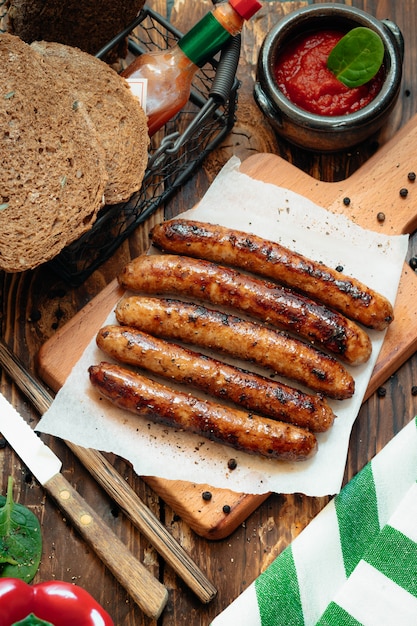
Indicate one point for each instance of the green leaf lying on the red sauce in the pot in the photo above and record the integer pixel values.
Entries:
(357, 57)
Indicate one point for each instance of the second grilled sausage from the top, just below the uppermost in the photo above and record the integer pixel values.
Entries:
(269, 302)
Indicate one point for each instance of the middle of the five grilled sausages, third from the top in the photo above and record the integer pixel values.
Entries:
(242, 339)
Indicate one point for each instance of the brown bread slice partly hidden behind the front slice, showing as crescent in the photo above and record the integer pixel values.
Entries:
(116, 113)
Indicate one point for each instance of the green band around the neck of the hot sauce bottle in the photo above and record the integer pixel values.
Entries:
(204, 40)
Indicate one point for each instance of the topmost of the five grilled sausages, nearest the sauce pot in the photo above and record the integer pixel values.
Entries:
(271, 260)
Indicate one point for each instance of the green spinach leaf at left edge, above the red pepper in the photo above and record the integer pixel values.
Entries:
(20, 539)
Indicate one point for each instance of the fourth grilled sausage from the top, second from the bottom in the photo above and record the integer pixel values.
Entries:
(245, 389)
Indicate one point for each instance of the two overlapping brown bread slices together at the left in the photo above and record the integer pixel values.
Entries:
(74, 138)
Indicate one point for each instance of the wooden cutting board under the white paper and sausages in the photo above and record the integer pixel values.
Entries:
(373, 189)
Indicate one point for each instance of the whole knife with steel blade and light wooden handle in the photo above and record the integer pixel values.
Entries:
(150, 595)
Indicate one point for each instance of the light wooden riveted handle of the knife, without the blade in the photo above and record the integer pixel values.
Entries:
(150, 595)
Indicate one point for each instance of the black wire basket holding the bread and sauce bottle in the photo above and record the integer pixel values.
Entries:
(175, 152)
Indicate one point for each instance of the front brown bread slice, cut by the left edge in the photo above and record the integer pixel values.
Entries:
(52, 165)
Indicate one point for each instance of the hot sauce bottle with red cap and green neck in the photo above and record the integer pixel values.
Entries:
(169, 72)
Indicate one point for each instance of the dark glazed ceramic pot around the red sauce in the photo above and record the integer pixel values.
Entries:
(323, 133)
